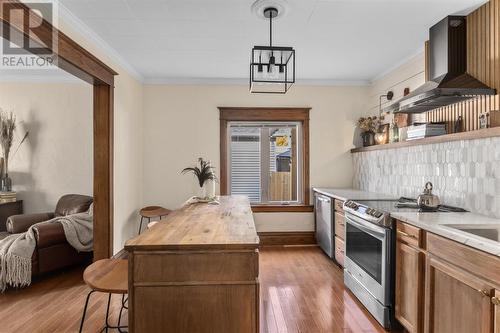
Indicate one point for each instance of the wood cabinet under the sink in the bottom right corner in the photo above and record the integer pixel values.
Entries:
(462, 288)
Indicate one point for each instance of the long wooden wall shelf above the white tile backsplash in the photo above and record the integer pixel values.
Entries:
(472, 135)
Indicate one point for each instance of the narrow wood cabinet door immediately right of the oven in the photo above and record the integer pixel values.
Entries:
(409, 287)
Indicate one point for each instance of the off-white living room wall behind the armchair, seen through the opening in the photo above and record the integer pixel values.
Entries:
(57, 157)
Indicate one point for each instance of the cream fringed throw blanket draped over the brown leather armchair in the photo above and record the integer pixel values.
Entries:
(16, 250)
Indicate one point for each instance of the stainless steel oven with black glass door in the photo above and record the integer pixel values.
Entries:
(369, 260)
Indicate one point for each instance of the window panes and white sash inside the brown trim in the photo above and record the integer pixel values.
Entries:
(263, 161)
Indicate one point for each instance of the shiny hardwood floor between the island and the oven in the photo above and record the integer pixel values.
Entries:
(303, 291)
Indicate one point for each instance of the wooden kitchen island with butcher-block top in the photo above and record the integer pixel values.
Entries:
(196, 271)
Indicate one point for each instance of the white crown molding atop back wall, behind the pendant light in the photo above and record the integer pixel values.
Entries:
(244, 82)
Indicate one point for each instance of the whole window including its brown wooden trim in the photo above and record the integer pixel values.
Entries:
(264, 155)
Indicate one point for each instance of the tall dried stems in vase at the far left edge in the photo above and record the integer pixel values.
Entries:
(7, 129)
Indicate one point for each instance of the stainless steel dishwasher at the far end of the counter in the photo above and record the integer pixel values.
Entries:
(323, 207)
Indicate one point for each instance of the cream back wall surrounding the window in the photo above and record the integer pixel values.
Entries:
(182, 123)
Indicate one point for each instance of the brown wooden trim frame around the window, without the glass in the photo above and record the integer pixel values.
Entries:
(228, 114)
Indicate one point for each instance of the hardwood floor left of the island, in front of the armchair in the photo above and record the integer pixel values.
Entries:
(55, 304)
